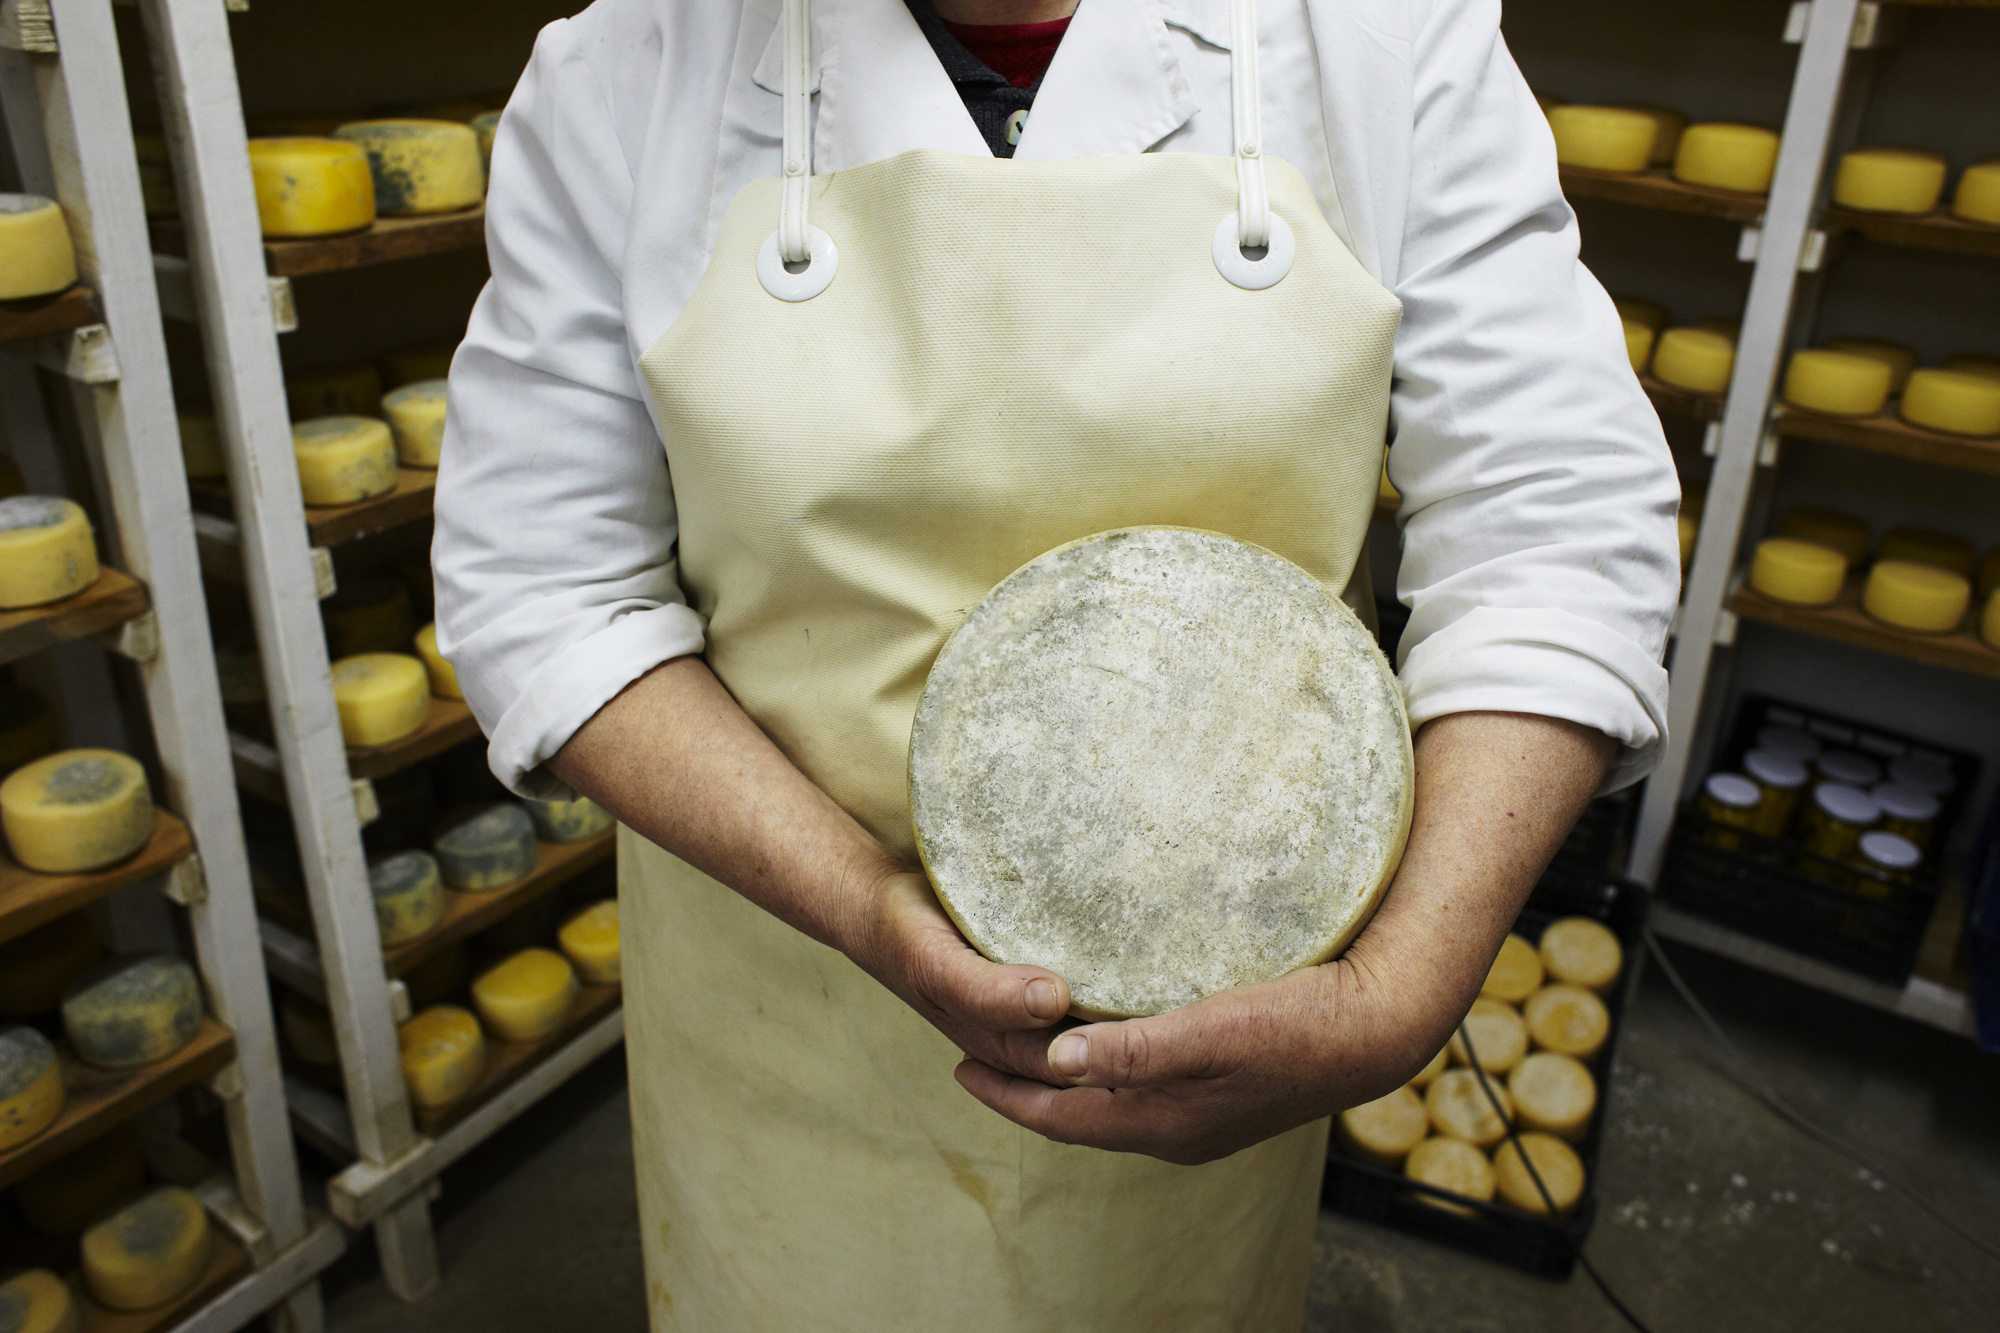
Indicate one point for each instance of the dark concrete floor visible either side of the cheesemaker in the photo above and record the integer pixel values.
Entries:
(1713, 1214)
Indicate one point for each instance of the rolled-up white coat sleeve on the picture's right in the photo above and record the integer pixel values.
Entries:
(1541, 559)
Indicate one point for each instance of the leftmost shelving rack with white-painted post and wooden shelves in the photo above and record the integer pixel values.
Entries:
(103, 345)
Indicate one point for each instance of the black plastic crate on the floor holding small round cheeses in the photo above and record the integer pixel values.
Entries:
(1497, 1232)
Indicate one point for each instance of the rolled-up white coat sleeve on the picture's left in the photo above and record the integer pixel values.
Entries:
(555, 541)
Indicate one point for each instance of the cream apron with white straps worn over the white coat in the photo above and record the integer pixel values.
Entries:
(981, 361)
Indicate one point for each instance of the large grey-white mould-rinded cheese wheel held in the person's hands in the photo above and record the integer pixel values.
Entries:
(1161, 764)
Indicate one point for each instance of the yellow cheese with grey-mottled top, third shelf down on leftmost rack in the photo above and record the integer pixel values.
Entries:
(77, 812)
